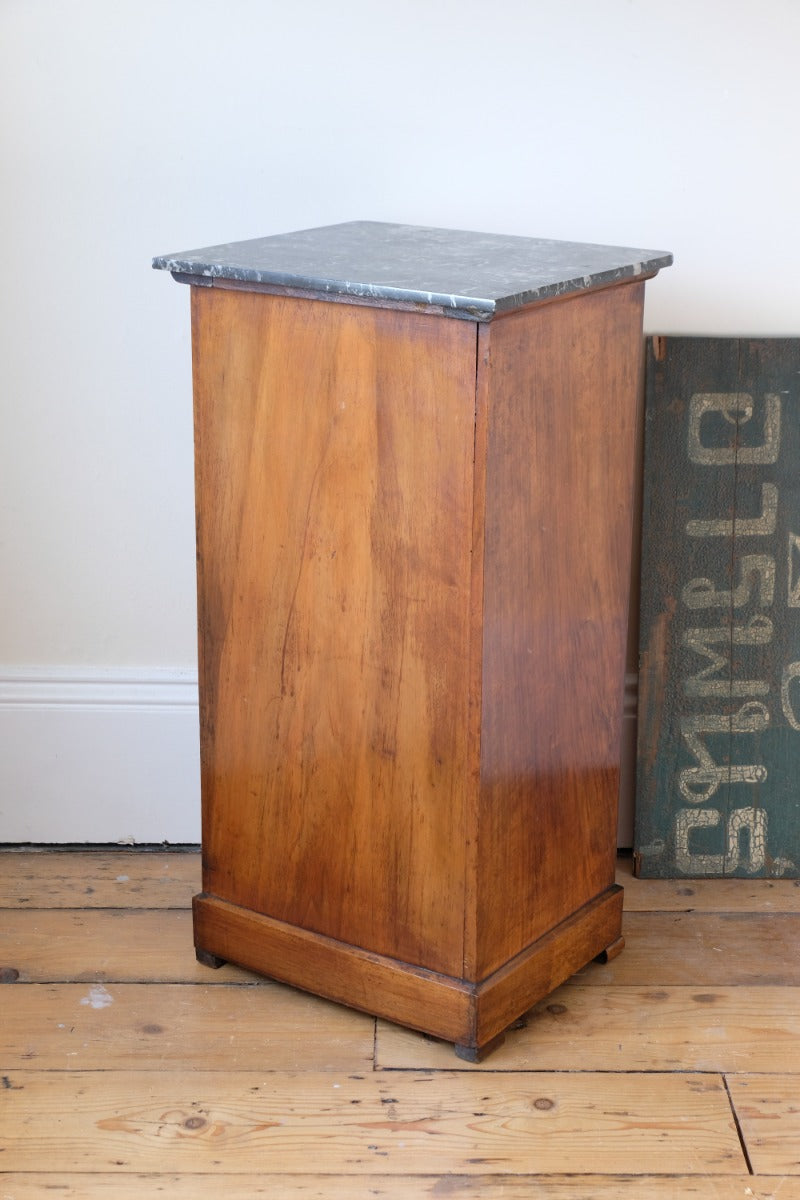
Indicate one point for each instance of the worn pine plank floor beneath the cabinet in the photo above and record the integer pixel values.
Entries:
(129, 1071)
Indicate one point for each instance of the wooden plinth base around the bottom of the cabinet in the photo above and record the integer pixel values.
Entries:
(473, 1016)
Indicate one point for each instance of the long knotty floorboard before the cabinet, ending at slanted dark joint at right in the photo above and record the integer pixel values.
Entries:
(520, 1124)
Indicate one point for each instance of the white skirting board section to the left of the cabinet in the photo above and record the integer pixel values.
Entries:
(99, 755)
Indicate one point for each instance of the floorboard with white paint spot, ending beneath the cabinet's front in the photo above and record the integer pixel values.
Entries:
(173, 1027)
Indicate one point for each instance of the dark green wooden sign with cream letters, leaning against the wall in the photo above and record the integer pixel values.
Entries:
(719, 743)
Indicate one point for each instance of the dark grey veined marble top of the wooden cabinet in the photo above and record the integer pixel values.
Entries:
(468, 275)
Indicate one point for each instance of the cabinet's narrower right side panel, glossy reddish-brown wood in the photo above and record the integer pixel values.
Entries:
(564, 400)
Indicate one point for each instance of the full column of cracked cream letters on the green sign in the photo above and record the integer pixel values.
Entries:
(737, 619)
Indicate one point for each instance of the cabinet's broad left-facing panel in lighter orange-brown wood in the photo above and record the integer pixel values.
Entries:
(334, 477)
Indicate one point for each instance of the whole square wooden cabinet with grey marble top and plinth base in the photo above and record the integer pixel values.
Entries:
(416, 458)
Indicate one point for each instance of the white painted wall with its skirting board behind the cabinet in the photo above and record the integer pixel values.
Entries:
(147, 127)
